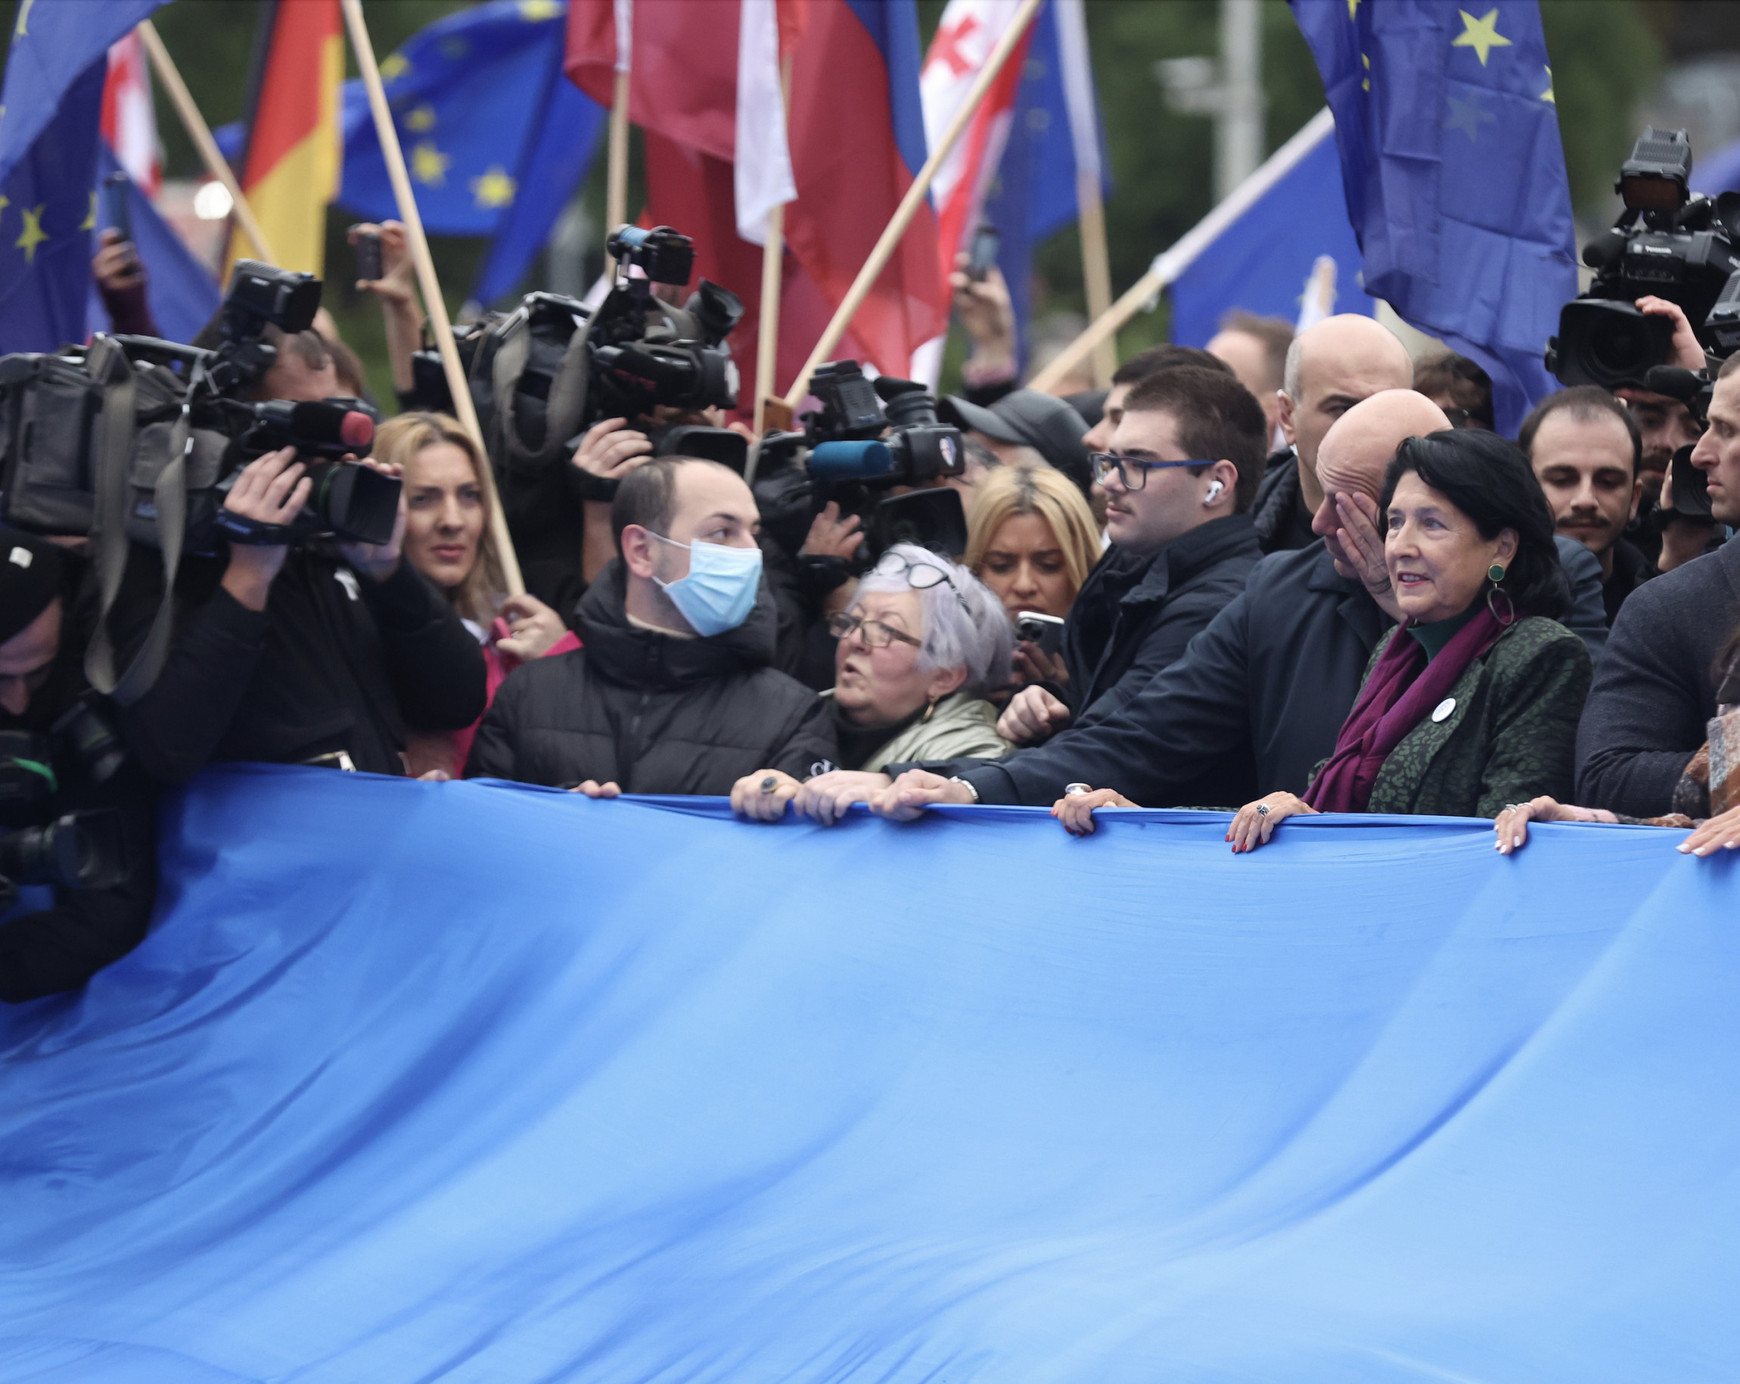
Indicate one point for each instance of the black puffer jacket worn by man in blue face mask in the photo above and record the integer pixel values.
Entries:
(652, 713)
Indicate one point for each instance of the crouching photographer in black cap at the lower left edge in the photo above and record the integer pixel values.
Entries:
(77, 819)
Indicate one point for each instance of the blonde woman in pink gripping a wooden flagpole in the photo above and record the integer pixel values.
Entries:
(448, 539)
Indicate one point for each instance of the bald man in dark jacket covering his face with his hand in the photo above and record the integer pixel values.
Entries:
(1261, 695)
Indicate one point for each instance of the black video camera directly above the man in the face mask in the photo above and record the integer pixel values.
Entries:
(551, 370)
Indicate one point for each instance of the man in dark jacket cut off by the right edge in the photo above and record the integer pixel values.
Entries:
(1657, 685)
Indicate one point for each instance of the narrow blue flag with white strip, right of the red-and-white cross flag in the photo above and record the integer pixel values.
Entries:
(1034, 194)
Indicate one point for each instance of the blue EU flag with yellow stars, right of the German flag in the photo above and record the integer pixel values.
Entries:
(495, 135)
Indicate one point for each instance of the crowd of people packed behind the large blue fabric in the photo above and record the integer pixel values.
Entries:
(1288, 574)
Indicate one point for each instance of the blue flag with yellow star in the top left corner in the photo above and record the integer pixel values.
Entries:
(50, 116)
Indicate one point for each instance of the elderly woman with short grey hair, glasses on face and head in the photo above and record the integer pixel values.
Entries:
(918, 650)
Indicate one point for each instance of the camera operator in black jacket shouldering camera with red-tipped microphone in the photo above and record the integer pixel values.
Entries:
(295, 655)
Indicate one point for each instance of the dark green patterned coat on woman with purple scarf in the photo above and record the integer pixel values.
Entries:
(1511, 732)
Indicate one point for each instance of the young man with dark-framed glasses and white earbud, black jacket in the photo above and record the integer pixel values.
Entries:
(1182, 546)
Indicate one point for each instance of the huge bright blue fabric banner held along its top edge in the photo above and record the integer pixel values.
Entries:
(479, 1084)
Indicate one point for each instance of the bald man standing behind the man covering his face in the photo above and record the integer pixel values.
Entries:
(1330, 368)
